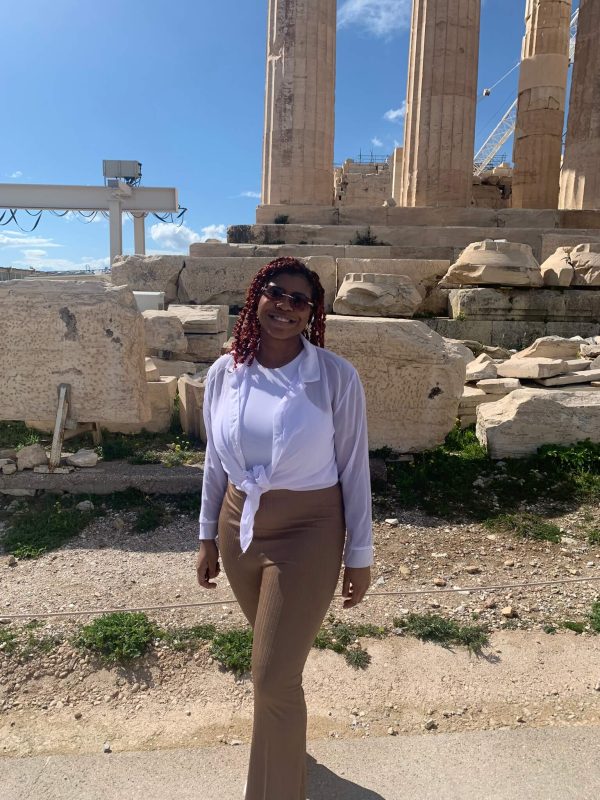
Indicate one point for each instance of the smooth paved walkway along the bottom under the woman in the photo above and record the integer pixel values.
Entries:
(523, 764)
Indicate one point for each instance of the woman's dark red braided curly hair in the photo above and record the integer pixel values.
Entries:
(246, 333)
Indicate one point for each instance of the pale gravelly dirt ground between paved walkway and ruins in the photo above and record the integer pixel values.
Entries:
(66, 702)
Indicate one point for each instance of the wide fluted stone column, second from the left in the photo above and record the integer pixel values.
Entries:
(439, 134)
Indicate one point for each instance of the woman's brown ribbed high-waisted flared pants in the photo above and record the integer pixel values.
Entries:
(284, 584)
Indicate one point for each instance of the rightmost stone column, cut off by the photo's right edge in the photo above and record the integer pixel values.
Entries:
(580, 178)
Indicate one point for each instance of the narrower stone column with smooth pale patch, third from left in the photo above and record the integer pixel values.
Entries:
(541, 107)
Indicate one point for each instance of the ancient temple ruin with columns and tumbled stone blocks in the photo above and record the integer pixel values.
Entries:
(460, 291)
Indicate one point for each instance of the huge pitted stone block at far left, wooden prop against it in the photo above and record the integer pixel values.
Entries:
(86, 334)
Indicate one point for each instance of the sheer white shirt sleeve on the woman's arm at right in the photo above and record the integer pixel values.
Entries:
(352, 456)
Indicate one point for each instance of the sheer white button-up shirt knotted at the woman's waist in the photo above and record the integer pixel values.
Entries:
(319, 438)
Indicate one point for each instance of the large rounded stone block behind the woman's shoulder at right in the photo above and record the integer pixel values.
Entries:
(413, 380)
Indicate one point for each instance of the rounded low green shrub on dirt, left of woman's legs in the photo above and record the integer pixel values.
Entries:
(120, 636)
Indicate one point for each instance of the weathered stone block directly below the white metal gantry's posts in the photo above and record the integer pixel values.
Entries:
(149, 273)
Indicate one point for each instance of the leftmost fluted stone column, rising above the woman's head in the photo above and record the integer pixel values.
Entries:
(299, 103)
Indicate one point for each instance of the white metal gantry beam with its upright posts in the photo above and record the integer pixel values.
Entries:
(114, 199)
